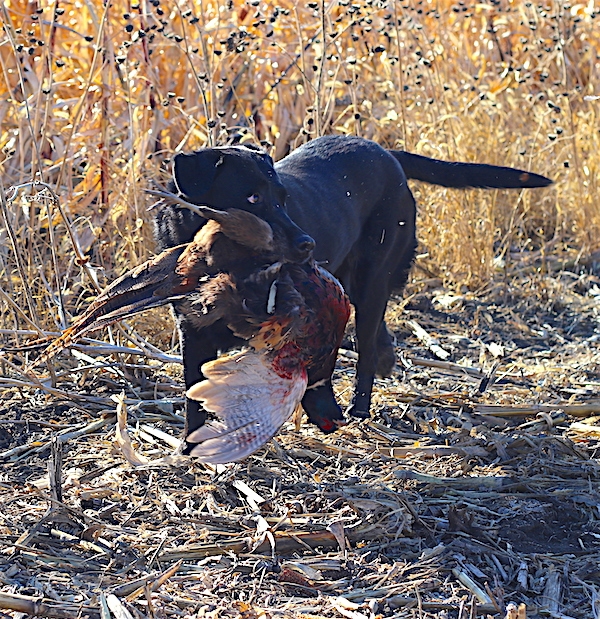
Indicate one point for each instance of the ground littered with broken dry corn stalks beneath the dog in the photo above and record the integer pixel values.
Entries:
(473, 486)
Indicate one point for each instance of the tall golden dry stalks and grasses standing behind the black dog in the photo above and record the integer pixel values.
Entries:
(95, 98)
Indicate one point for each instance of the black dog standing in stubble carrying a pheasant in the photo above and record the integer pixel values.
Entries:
(352, 197)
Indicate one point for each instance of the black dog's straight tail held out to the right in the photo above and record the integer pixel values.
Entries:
(460, 175)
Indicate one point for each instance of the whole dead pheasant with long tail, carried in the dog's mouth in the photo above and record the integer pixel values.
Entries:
(292, 316)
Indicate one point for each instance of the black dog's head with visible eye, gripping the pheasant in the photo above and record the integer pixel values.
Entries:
(241, 177)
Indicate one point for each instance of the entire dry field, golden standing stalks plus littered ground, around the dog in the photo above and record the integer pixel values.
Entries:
(473, 490)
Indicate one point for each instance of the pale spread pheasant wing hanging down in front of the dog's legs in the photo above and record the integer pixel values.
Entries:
(252, 397)
